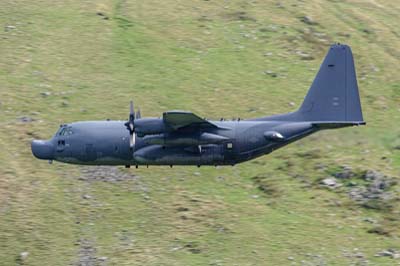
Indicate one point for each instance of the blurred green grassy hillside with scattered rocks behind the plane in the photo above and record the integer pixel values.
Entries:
(64, 61)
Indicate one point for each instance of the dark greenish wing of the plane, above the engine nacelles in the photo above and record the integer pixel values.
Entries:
(181, 119)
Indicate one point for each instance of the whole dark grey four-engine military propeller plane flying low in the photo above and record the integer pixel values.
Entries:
(183, 138)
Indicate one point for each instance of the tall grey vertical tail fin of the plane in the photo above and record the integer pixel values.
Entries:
(333, 96)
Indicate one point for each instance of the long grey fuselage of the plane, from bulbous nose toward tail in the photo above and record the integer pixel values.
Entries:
(107, 143)
